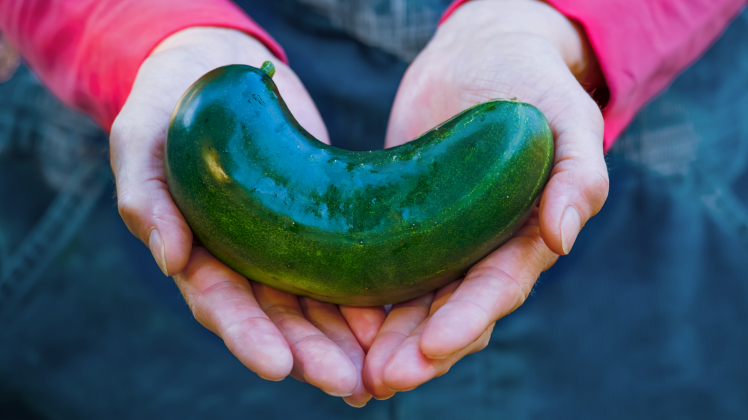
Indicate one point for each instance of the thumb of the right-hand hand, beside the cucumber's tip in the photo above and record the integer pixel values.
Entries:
(579, 182)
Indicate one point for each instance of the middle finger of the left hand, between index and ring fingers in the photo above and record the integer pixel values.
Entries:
(317, 359)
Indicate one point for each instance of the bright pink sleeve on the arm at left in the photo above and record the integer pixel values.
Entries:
(88, 52)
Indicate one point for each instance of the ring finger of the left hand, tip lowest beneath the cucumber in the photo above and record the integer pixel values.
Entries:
(328, 319)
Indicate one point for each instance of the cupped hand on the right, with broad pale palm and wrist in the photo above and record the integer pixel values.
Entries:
(519, 49)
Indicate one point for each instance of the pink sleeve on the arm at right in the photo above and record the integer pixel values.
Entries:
(642, 45)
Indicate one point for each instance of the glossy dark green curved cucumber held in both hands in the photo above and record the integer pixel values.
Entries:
(355, 228)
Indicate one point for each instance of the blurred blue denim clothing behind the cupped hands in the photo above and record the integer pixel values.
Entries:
(645, 319)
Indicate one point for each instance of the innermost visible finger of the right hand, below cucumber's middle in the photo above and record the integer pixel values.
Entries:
(400, 322)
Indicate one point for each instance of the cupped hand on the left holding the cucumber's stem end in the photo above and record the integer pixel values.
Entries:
(272, 333)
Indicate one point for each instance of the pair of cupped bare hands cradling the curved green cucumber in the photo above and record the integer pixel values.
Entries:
(276, 334)
